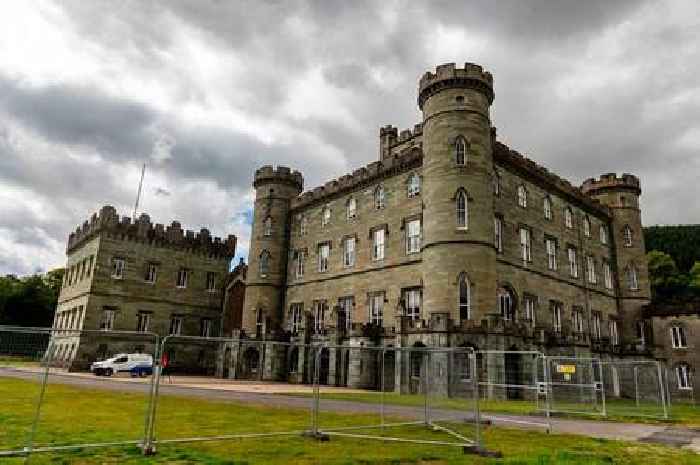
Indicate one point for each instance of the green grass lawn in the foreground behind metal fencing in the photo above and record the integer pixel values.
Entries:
(76, 415)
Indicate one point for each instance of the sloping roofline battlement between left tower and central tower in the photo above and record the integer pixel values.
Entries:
(388, 166)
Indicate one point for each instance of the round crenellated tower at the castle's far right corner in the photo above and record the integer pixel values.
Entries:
(621, 195)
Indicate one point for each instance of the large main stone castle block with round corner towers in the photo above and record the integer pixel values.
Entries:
(450, 238)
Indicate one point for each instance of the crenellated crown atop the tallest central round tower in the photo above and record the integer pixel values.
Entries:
(448, 76)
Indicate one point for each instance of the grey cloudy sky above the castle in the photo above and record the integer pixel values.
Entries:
(206, 91)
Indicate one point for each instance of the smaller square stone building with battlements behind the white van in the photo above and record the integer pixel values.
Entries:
(139, 278)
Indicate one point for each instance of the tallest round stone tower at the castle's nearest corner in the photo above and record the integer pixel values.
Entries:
(458, 166)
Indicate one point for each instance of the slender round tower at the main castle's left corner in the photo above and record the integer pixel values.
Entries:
(269, 248)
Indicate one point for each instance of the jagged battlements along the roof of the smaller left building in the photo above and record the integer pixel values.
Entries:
(157, 235)
